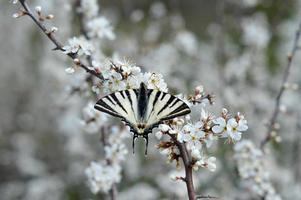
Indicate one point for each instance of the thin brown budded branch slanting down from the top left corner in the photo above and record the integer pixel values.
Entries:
(51, 36)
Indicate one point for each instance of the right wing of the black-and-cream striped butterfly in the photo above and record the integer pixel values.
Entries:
(163, 106)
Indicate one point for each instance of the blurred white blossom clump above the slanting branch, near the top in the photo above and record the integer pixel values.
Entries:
(100, 27)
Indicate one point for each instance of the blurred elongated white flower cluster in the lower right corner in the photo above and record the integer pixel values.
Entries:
(250, 162)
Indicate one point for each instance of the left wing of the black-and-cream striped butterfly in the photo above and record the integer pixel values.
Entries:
(122, 104)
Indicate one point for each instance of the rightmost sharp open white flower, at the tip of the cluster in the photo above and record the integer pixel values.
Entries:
(234, 129)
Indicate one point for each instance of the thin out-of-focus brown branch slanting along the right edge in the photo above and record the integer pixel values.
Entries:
(271, 125)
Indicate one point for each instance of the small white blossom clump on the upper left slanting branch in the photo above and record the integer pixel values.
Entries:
(78, 45)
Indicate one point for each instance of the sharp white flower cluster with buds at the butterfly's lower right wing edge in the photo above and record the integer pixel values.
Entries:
(200, 135)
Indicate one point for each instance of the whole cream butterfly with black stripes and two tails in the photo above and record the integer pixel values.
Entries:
(142, 109)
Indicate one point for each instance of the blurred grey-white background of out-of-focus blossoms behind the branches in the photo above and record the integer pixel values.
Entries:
(236, 49)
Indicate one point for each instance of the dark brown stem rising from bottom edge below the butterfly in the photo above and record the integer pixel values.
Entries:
(188, 168)
